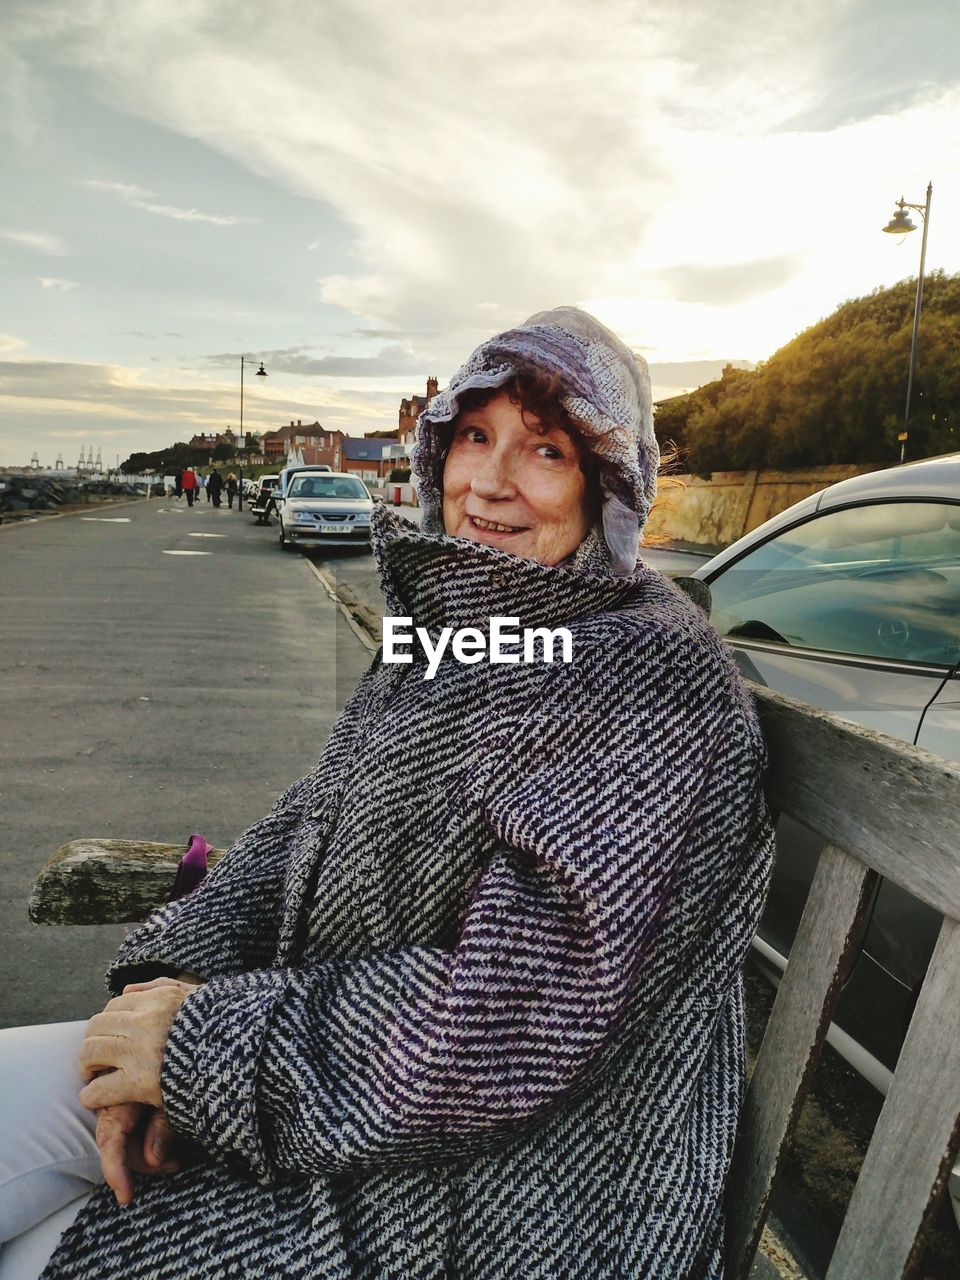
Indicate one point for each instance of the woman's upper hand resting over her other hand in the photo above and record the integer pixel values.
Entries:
(124, 1050)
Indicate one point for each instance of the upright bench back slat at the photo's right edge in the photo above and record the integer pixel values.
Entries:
(908, 1163)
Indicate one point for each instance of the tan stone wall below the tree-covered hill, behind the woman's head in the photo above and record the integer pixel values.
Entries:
(714, 514)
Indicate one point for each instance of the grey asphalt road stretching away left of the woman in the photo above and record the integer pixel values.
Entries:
(163, 671)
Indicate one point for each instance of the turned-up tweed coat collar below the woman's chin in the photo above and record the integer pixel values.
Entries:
(445, 582)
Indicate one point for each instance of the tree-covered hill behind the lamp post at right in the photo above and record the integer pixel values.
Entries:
(835, 394)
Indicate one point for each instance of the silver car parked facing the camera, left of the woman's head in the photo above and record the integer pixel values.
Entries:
(324, 510)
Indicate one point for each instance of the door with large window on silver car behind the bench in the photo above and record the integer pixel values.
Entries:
(856, 610)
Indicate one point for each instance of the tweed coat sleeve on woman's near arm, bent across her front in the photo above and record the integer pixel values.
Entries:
(424, 1054)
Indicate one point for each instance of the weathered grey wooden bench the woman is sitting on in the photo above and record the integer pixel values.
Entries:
(886, 810)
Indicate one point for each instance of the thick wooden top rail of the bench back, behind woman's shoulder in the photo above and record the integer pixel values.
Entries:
(892, 804)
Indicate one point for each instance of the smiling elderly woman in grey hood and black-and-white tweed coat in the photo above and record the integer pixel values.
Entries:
(468, 1003)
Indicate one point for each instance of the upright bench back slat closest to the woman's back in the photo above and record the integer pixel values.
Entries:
(821, 956)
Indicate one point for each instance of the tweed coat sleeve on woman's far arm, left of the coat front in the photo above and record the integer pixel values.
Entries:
(231, 922)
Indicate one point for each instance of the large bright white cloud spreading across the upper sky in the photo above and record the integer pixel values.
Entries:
(547, 158)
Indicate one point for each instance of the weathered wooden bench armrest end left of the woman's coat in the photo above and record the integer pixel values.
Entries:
(106, 881)
